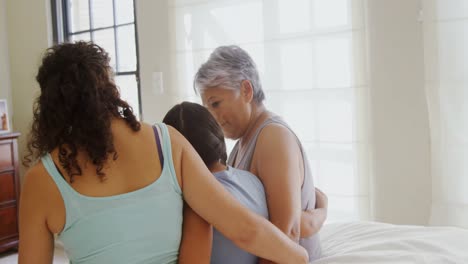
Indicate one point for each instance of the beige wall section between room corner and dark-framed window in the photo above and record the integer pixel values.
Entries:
(28, 36)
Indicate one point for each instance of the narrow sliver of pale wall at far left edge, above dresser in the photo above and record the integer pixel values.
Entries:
(5, 89)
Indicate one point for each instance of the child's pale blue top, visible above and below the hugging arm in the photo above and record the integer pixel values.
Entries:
(249, 191)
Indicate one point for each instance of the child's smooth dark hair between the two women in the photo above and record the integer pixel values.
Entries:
(199, 127)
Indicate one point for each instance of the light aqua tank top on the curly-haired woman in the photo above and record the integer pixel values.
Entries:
(142, 226)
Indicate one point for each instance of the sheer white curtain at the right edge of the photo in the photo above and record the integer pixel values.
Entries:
(446, 59)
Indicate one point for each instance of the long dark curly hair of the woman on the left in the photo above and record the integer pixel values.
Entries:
(74, 110)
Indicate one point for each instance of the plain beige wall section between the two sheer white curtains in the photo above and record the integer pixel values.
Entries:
(401, 190)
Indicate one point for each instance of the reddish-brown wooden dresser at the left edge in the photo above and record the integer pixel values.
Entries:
(9, 191)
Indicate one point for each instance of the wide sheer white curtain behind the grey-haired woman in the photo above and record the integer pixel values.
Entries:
(311, 57)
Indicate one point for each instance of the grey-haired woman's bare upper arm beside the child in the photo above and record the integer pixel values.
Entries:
(278, 163)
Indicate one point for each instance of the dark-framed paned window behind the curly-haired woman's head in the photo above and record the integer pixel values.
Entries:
(111, 25)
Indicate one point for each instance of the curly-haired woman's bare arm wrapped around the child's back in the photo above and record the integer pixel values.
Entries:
(207, 197)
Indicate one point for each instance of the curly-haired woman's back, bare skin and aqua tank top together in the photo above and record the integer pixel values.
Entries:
(134, 217)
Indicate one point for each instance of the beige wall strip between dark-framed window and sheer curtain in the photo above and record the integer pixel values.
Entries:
(153, 21)
